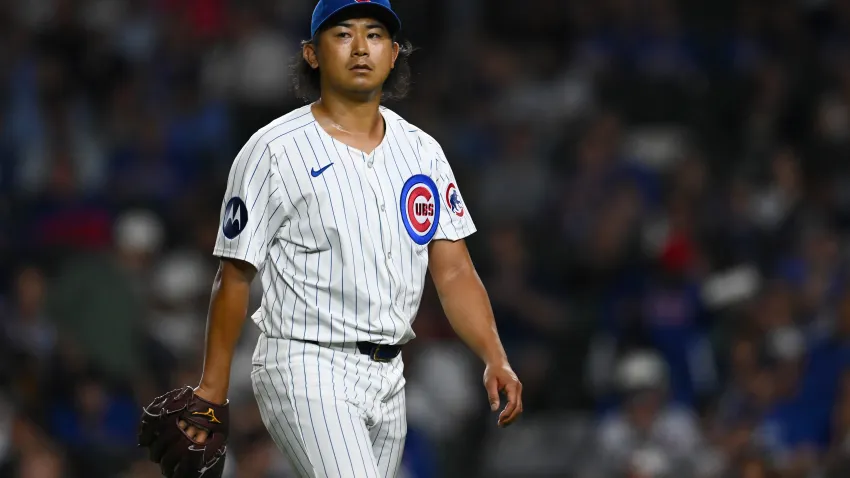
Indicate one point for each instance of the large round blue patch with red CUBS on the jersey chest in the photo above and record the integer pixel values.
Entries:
(419, 204)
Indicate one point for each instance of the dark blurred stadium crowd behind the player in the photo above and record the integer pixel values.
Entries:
(662, 191)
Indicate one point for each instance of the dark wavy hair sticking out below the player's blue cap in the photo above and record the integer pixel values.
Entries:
(306, 81)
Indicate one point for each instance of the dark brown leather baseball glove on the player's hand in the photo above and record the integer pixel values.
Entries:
(177, 455)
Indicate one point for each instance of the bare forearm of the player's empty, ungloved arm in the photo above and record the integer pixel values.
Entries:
(467, 306)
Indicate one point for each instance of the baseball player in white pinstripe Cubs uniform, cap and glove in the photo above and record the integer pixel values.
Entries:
(341, 206)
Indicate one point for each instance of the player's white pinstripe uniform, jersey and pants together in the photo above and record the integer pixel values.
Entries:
(323, 223)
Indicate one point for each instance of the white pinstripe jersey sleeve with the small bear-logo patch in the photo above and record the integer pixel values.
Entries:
(455, 220)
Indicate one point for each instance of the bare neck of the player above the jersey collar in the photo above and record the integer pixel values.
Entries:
(354, 118)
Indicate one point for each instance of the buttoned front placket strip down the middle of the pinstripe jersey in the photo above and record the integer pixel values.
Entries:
(385, 205)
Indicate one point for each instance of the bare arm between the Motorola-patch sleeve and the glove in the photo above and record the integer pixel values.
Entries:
(228, 309)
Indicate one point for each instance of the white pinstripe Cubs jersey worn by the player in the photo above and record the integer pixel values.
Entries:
(340, 237)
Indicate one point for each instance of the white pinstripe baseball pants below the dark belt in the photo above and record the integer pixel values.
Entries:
(332, 411)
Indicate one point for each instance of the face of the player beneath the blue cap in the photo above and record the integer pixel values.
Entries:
(355, 56)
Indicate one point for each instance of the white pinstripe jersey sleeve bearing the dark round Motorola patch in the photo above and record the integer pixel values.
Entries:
(252, 211)
